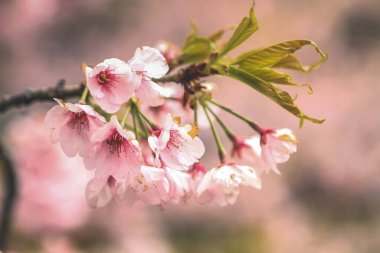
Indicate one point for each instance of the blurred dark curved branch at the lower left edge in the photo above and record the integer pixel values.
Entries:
(10, 195)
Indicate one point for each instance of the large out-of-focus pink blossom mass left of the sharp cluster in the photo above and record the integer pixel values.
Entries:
(51, 185)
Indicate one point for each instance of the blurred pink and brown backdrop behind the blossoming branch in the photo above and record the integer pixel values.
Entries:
(328, 198)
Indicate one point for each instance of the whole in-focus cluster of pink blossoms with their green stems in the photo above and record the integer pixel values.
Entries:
(137, 159)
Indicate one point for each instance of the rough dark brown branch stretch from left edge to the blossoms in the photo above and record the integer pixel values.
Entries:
(47, 94)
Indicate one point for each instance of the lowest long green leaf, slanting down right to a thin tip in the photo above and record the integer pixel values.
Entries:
(271, 91)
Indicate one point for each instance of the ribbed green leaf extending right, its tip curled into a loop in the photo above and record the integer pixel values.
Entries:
(279, 56)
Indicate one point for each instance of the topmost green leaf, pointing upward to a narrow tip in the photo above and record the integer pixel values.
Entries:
(245, 29)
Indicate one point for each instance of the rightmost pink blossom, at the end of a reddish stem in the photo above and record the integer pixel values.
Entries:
(277, 146)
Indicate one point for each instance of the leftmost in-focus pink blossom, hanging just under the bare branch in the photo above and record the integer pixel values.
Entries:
(72, 126)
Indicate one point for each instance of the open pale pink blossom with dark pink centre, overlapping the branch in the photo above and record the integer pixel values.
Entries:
(111, 83)
